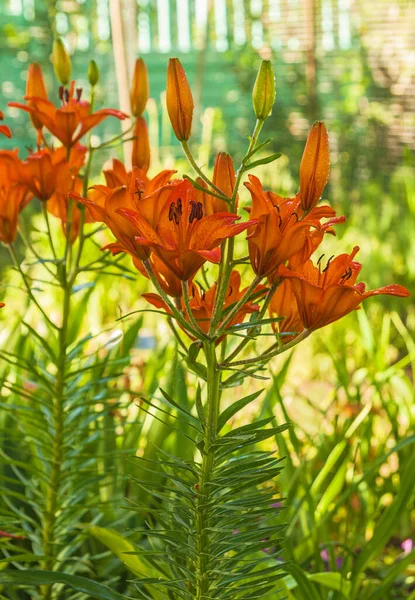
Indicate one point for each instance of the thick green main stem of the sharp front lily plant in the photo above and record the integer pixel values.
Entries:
(204, 485)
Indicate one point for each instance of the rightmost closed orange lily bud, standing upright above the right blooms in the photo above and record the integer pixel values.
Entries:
(315, 166)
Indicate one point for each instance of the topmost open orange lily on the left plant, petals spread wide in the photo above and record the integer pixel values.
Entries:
(70, 122)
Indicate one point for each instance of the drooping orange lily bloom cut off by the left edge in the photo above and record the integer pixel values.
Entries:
(13, 195)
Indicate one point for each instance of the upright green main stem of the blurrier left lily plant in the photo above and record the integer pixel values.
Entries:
(52, 494)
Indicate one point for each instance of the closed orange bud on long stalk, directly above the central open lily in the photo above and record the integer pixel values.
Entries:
(179, 100)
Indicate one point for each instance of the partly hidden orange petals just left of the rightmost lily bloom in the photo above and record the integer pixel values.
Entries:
(284, 304)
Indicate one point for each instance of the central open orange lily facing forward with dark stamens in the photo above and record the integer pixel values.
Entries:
(184, 238)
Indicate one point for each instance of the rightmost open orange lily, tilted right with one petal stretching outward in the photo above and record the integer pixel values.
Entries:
(326, 295)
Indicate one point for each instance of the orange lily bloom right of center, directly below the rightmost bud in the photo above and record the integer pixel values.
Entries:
(282, 227)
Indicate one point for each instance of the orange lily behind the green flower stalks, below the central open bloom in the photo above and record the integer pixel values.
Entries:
(202, 303)
